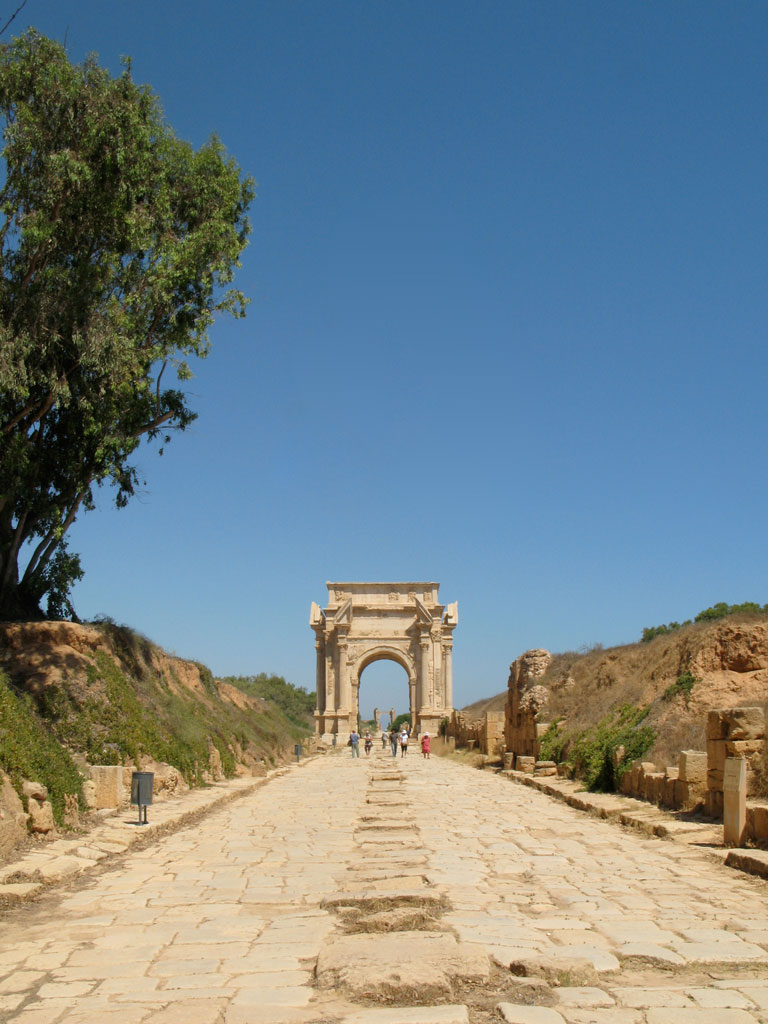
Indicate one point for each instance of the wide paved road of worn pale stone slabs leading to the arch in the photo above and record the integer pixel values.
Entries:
(377, 891)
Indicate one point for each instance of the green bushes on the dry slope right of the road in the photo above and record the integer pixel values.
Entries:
(592, 751)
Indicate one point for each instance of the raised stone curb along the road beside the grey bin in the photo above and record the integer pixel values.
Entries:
(64, 860)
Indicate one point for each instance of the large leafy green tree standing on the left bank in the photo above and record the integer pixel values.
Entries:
(118, 242)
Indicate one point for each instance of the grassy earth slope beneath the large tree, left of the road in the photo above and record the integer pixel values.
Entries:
(74, 696)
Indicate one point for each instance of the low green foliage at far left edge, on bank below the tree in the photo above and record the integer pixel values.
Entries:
(28, 750)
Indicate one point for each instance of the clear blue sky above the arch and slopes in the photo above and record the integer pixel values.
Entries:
(507, 330)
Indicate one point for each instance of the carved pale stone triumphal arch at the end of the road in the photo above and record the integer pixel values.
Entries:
(373, 622)
